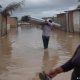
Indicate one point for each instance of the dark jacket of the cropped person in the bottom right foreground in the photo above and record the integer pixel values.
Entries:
(73, 63)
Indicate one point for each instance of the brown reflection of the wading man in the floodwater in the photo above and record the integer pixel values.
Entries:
(49, 63)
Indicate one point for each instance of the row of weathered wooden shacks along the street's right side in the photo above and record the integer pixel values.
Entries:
(70, 20)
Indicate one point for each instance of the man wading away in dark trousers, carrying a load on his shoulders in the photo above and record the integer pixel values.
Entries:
(46, 28)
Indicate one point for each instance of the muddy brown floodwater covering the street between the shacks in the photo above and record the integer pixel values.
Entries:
(22, 56)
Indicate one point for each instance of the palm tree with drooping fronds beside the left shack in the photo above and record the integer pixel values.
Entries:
(6, 12)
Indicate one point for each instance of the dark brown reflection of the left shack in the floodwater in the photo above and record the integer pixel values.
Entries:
(5, 54)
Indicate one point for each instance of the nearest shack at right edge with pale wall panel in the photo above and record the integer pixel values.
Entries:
(74, 20)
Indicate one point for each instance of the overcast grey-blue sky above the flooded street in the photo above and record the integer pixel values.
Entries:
(41, 8)
